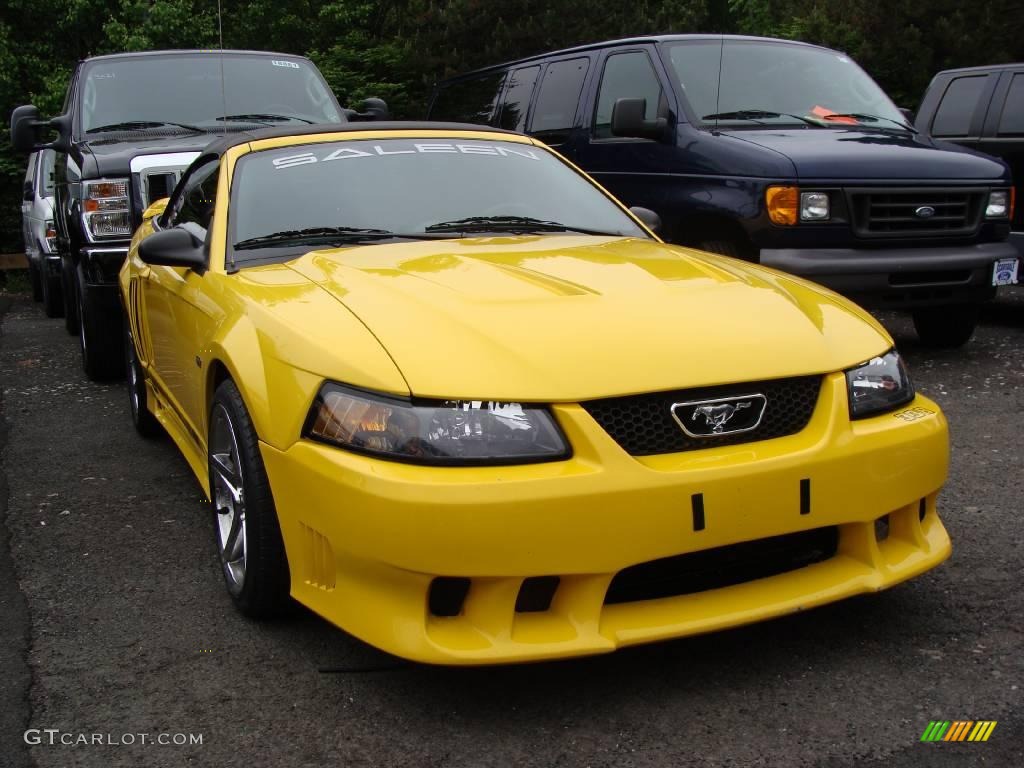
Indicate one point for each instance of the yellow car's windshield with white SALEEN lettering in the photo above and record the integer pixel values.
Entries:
(347, 193)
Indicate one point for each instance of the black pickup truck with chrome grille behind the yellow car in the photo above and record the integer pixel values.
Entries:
(132, 124)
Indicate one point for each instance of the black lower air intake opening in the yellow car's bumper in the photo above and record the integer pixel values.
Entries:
(722, 567)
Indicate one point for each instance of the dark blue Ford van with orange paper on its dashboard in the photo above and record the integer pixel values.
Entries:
(771, 151)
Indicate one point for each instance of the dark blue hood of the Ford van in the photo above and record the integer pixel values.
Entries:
(860, 154)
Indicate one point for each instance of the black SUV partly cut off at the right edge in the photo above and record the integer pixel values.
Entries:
(982, 108)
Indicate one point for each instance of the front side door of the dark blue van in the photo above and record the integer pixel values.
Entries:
(635, 170)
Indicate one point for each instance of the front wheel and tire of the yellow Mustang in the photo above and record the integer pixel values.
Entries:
(261, 587)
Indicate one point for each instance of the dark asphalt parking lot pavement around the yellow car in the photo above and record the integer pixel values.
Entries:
(133, 633)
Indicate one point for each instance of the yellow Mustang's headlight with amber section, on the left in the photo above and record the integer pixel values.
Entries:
(435, 432)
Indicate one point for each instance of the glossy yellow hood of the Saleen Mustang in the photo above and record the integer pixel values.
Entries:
(569, 319)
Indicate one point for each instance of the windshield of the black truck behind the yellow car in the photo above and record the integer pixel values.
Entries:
(184, 93)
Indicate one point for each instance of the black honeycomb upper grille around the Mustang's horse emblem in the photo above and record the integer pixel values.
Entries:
(643, 424)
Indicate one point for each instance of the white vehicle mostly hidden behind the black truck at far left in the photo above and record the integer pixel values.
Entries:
(39, 234)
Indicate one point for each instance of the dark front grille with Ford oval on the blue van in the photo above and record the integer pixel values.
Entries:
(894, 214)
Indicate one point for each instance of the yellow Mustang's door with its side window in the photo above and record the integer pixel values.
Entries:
(180, 317)
